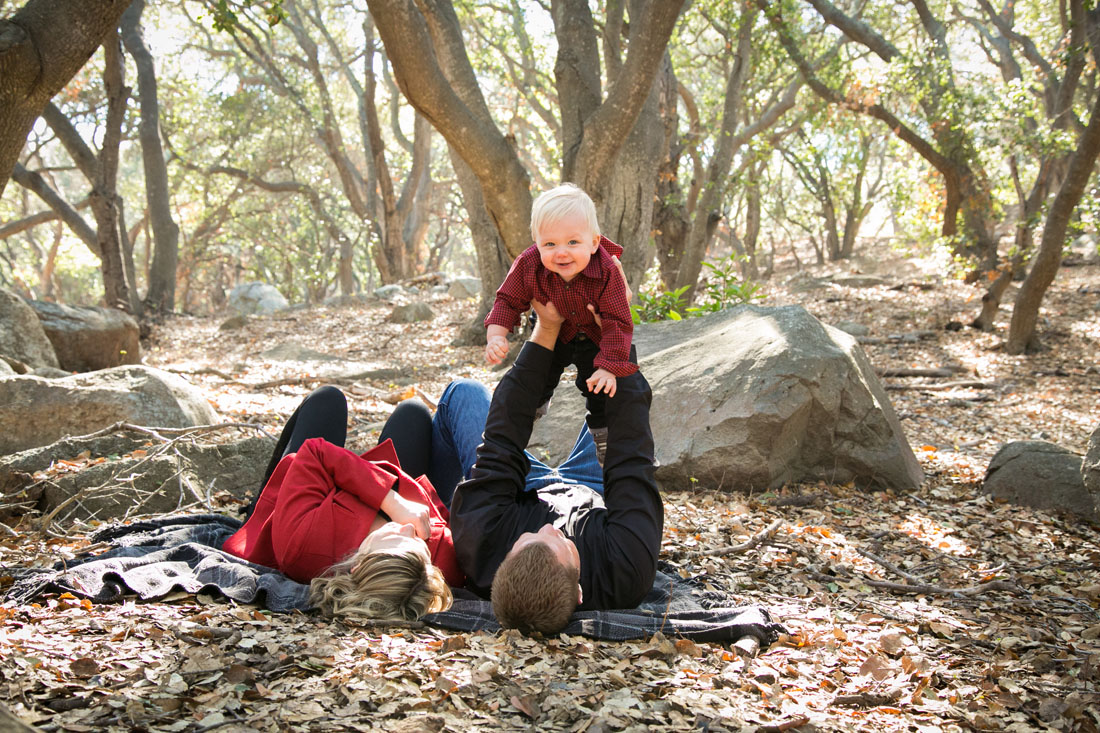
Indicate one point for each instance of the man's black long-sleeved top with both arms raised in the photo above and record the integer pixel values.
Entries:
(618, 537)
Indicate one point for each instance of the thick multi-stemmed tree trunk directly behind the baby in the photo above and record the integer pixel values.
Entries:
(425, 45)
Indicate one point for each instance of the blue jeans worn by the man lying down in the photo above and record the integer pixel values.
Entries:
(457, 432)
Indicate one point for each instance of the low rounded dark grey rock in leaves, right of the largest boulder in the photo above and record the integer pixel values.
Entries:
(1040, 475)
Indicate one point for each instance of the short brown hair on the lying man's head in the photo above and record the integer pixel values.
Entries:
(534, 592)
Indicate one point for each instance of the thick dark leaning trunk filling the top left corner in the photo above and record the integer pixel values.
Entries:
(42, 47)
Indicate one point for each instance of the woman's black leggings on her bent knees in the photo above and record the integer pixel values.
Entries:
(324, 414)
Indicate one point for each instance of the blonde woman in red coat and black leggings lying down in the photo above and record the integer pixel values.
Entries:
(370, 539)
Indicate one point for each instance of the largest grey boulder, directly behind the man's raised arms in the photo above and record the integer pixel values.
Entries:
(754, 398)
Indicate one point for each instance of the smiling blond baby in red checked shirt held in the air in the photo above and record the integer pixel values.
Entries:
(577, 270)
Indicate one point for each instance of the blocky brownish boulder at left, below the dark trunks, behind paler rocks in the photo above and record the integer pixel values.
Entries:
(87, 338)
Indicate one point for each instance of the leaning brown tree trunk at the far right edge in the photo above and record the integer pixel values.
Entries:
(1022, 335)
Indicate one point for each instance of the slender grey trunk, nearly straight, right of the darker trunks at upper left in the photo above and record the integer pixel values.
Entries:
(161, 294)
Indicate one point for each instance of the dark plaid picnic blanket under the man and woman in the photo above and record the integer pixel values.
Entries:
(184, 554)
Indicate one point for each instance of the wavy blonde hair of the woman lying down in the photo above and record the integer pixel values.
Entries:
(382, 586)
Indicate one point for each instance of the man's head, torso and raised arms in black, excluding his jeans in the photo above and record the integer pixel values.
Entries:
(542, 552)
